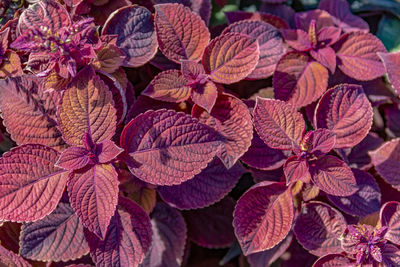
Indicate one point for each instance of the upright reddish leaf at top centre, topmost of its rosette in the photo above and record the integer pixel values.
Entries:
(181, 33)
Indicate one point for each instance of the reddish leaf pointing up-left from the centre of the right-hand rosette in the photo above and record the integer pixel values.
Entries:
(278, 124)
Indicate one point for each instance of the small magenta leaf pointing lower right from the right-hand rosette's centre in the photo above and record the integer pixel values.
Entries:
(333, 176)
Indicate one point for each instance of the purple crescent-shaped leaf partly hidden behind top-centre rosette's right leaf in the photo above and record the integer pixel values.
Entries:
(269, 42)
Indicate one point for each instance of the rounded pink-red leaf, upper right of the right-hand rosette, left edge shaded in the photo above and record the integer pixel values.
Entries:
(346, 110)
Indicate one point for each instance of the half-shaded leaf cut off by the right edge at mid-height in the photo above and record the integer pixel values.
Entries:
(386, 160)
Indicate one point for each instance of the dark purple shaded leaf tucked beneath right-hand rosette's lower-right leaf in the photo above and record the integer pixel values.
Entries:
(366, 200)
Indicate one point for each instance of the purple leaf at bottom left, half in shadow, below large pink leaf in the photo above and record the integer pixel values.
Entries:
(57, 237)
